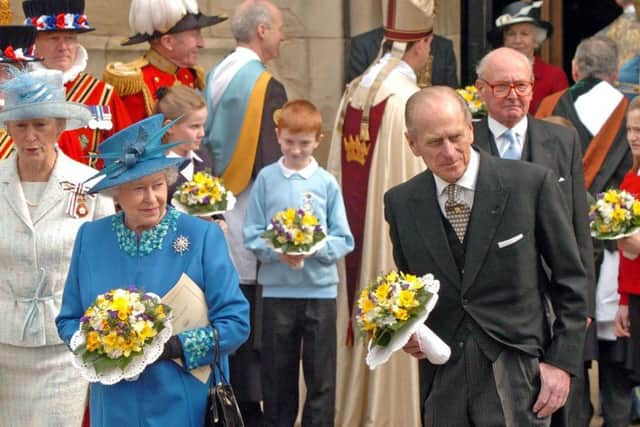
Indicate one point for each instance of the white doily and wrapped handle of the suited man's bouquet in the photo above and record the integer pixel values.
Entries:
(437, 351)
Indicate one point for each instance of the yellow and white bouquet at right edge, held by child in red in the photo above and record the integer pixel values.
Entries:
(614, 215)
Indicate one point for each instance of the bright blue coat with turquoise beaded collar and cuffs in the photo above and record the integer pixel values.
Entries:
(165, 394)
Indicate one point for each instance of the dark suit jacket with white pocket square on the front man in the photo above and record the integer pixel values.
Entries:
(517, 219)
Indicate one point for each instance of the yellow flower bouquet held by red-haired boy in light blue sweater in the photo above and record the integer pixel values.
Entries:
(294, 232)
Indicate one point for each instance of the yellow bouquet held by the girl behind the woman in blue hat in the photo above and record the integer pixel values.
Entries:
(204, 195)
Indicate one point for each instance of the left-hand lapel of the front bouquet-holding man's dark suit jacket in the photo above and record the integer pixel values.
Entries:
(426, 201)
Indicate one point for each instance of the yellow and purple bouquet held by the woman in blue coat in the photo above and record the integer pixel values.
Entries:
(121, 333)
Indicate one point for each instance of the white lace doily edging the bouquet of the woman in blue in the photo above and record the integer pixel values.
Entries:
(150, 353)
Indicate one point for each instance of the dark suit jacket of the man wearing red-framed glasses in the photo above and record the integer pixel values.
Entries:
(557, 148)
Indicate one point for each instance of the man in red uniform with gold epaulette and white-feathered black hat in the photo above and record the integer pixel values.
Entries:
(172, 57)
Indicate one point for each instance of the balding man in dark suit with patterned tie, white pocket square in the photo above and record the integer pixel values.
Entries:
(508, 366)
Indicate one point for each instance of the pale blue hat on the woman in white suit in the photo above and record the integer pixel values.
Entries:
(38, 95)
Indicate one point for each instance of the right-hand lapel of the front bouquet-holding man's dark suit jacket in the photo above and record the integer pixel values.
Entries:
(489, 201)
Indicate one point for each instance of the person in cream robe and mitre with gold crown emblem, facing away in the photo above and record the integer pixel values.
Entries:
(368, 155)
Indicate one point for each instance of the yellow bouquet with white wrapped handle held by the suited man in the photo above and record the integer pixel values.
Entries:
(393, 307)
